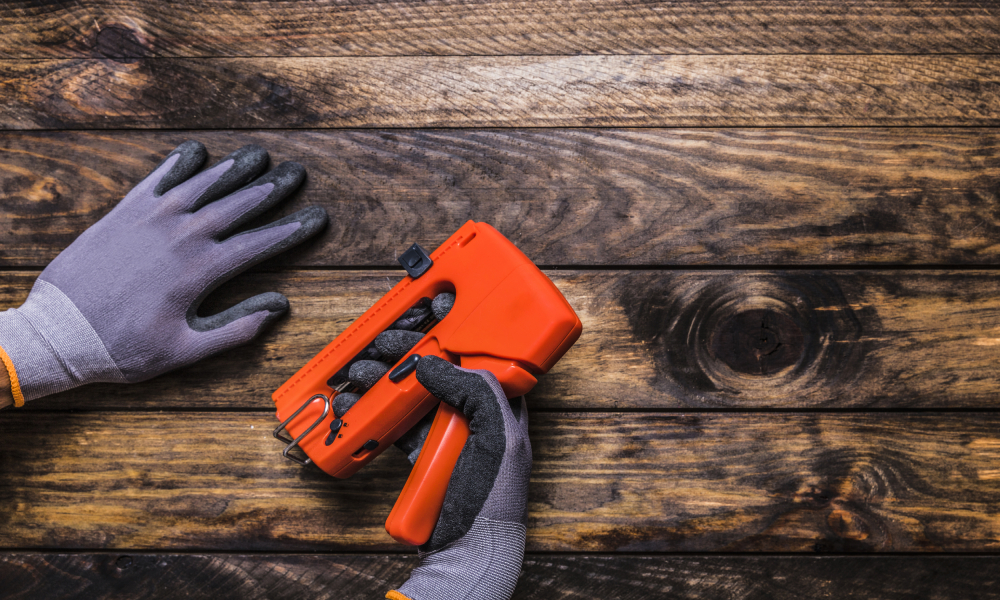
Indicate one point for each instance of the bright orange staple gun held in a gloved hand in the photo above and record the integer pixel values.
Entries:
(508, 318)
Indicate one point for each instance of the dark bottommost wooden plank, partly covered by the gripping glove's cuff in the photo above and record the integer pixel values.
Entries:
(602, 577)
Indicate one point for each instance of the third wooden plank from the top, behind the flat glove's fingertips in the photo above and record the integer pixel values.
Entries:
(565, 197)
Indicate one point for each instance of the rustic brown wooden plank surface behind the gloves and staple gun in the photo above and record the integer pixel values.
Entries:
(778, 221)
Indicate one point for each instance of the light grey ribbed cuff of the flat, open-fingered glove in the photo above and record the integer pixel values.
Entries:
(51, 346)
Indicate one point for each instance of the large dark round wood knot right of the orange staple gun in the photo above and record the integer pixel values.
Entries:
(747, 339)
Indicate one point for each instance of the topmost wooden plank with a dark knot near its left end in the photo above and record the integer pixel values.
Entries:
(107, 28)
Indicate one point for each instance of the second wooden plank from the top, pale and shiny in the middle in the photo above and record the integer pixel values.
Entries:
(507, 91)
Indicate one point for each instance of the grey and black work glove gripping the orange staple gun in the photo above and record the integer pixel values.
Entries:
(477, 546)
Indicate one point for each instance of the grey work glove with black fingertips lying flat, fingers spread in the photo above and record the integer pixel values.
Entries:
(120, 304)
